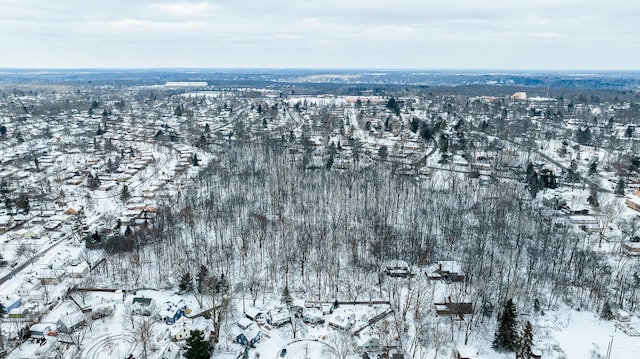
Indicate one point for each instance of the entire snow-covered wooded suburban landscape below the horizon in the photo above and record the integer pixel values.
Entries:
(319, 214)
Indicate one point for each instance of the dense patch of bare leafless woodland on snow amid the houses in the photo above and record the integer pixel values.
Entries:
(257, 218)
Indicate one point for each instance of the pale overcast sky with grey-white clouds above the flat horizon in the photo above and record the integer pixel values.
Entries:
(416, 34)
